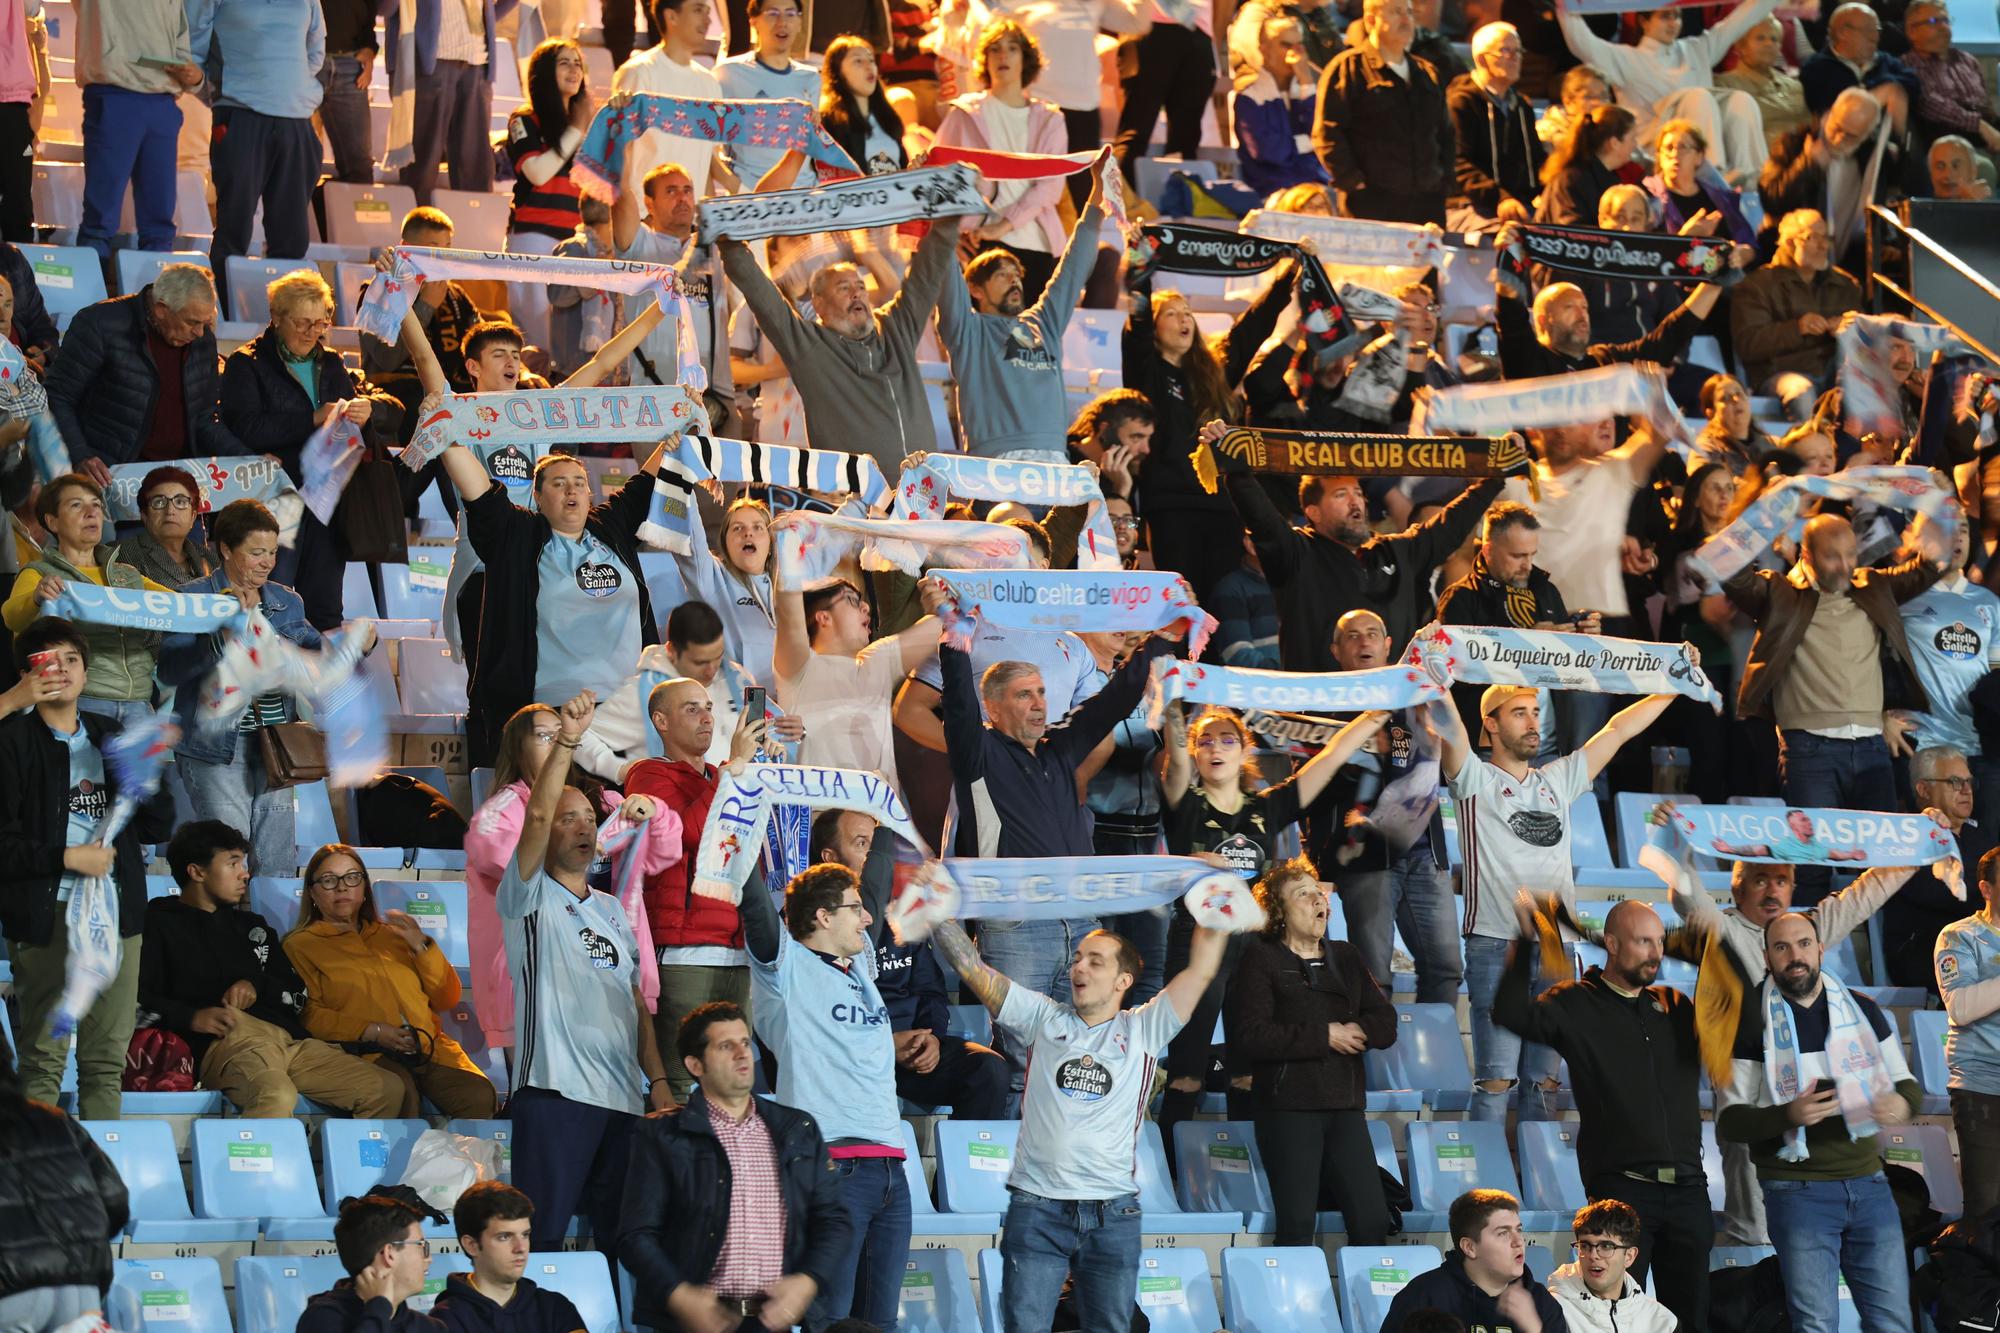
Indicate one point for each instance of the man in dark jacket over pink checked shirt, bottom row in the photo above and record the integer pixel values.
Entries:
(699, 1262)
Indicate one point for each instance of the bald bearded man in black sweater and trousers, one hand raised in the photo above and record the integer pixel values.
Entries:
(1637, 1070)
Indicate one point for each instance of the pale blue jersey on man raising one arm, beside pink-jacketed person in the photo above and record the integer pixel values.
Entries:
(575, 964)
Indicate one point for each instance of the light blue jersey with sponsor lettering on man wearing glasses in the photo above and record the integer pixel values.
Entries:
(829, 1028)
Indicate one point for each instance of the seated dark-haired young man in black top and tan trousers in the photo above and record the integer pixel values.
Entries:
(213, 972)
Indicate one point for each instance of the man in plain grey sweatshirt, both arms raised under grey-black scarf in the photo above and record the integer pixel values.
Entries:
(855, 367)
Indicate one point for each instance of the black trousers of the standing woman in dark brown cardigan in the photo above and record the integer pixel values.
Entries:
(1317, 1160)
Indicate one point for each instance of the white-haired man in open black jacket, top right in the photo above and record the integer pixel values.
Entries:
(1499, 153)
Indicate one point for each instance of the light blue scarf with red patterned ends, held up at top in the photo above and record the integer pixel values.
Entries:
(779, 123)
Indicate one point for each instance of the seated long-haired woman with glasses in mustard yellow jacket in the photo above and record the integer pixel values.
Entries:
(375, 984)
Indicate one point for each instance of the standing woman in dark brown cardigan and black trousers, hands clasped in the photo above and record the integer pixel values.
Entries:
(1303, 1010)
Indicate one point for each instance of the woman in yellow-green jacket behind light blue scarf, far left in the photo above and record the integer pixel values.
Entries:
(71, 509)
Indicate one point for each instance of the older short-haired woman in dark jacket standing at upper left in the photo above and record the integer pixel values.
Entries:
(277, 393)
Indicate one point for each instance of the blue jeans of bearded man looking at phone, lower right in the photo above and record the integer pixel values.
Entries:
(1833, 1230)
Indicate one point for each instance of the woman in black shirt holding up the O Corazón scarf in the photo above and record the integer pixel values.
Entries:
(1215, 812)
